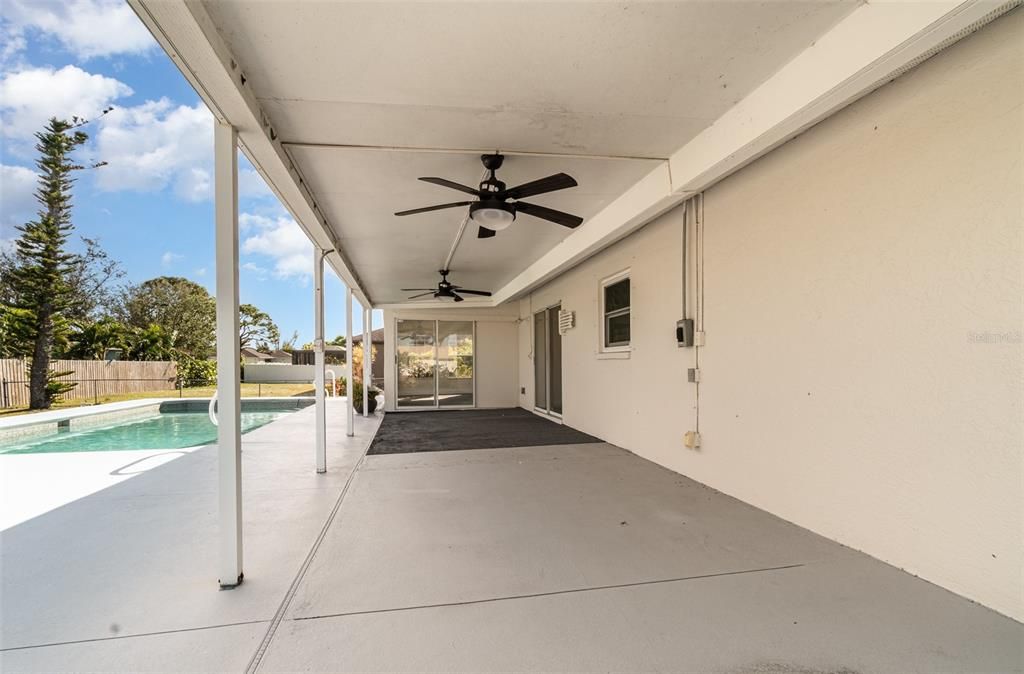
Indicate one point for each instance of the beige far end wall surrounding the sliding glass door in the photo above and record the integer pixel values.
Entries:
(497, 375)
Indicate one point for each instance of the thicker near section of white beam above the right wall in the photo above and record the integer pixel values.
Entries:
(876, 44)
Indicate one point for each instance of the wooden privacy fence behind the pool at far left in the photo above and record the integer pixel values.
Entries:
(95, 378)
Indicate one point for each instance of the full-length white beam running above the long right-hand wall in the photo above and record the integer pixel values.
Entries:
(875, 44)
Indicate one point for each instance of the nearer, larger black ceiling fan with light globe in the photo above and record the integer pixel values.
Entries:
(497, 205)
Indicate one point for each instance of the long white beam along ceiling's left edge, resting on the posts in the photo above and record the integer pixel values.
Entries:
(187, 33)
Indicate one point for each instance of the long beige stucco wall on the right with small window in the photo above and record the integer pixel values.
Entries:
(863, 374)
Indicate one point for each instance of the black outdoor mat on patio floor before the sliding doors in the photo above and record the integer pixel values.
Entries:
(404, 433)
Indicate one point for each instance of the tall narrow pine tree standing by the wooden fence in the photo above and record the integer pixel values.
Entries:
(40, 279)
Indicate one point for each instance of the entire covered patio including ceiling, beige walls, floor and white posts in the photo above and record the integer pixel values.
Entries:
(655, 436)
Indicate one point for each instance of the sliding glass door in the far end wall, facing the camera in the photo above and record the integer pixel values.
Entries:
(436, 364)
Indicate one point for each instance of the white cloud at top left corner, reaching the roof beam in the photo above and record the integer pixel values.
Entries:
(87, 28)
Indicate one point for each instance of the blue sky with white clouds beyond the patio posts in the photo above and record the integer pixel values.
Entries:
(152, 207)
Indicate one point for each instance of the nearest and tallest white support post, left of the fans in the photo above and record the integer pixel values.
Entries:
(229, 364)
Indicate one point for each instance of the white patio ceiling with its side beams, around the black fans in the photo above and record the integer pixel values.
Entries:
(343, 106)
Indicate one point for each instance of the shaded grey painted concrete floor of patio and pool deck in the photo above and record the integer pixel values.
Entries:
(579, 558)
